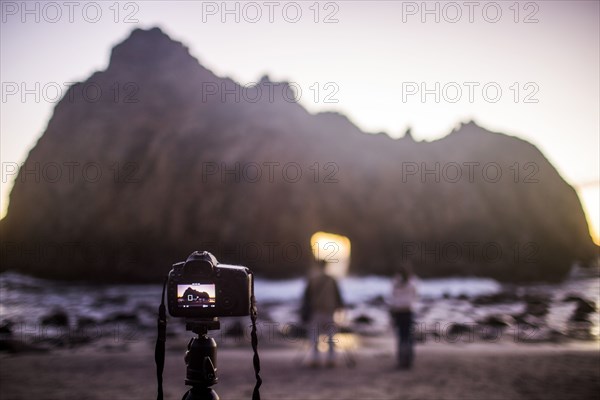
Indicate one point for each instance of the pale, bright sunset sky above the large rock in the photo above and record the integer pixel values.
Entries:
(528, 69)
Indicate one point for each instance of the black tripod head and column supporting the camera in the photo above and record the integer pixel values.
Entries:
(201, 360)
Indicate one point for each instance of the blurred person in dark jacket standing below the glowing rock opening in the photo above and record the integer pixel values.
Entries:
(321, 299)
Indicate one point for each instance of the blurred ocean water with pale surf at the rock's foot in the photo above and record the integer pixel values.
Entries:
(25, 301)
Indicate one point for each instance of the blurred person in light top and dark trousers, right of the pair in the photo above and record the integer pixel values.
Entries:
(404, 294)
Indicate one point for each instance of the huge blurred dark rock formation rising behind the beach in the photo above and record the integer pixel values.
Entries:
(156, 157)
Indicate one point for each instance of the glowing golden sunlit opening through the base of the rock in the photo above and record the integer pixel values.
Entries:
(334, 249)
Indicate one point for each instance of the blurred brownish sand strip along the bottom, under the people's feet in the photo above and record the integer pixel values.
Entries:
(442, 371)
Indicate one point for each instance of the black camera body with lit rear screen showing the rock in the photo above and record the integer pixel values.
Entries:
(200, 287)
